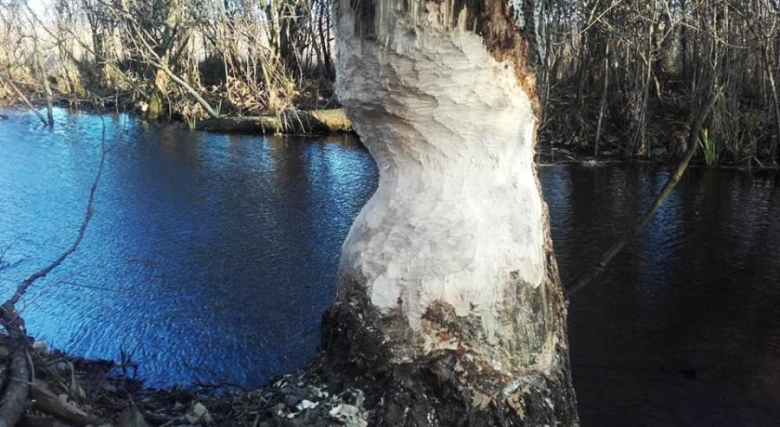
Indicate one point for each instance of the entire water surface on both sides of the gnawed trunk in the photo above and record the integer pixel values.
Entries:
(211, 258)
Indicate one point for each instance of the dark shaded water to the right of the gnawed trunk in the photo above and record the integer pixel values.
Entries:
(684, 328)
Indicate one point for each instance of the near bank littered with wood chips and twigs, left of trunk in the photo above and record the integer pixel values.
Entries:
(75, 391)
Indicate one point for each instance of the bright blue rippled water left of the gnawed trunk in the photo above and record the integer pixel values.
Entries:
(210, 258)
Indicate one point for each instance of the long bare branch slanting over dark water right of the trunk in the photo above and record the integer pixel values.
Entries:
(659, 200)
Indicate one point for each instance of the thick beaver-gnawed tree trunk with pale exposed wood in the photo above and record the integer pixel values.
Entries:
(449, 310)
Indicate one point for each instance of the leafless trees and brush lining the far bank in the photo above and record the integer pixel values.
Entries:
(615, 78)
